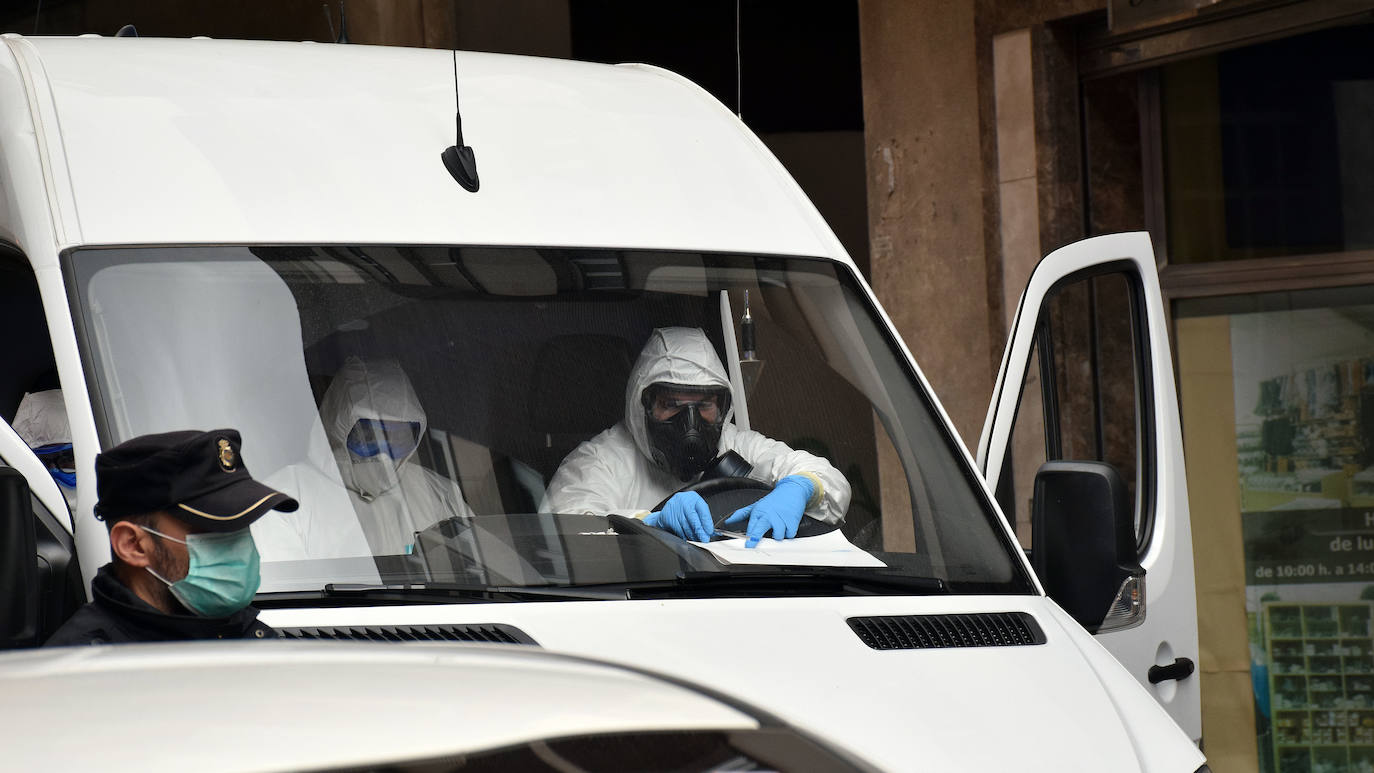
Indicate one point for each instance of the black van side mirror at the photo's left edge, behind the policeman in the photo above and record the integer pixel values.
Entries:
(19, 564)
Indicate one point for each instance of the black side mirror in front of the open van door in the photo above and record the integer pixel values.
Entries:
(1083, 539)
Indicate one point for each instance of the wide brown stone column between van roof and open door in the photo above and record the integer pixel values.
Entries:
(925, 194)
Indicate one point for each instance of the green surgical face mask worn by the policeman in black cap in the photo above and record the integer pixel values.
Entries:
(223, 577)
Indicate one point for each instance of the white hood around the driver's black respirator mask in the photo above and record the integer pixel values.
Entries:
(674, 356)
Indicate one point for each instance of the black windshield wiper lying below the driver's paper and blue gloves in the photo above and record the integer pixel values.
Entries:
(802, 581)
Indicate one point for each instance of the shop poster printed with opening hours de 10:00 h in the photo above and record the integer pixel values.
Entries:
(1305, 433)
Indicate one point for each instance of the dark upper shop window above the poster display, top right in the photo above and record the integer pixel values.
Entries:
(1269, 150)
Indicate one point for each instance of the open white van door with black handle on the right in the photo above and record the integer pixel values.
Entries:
(1088, 377)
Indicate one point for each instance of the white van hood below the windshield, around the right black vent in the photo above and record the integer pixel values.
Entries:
(1066, 705)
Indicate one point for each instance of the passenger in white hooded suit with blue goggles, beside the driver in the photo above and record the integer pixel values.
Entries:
(376, 424)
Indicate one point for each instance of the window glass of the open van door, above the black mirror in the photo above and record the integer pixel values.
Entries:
(1083, 396)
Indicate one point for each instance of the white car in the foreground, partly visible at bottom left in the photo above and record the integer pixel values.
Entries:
(355, 706)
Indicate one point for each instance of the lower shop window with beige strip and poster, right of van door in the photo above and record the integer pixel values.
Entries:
(1279, 399)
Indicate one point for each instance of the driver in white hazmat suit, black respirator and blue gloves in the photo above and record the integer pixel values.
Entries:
(678, 404)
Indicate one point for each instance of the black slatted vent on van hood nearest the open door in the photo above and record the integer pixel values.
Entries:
(927, 632)
